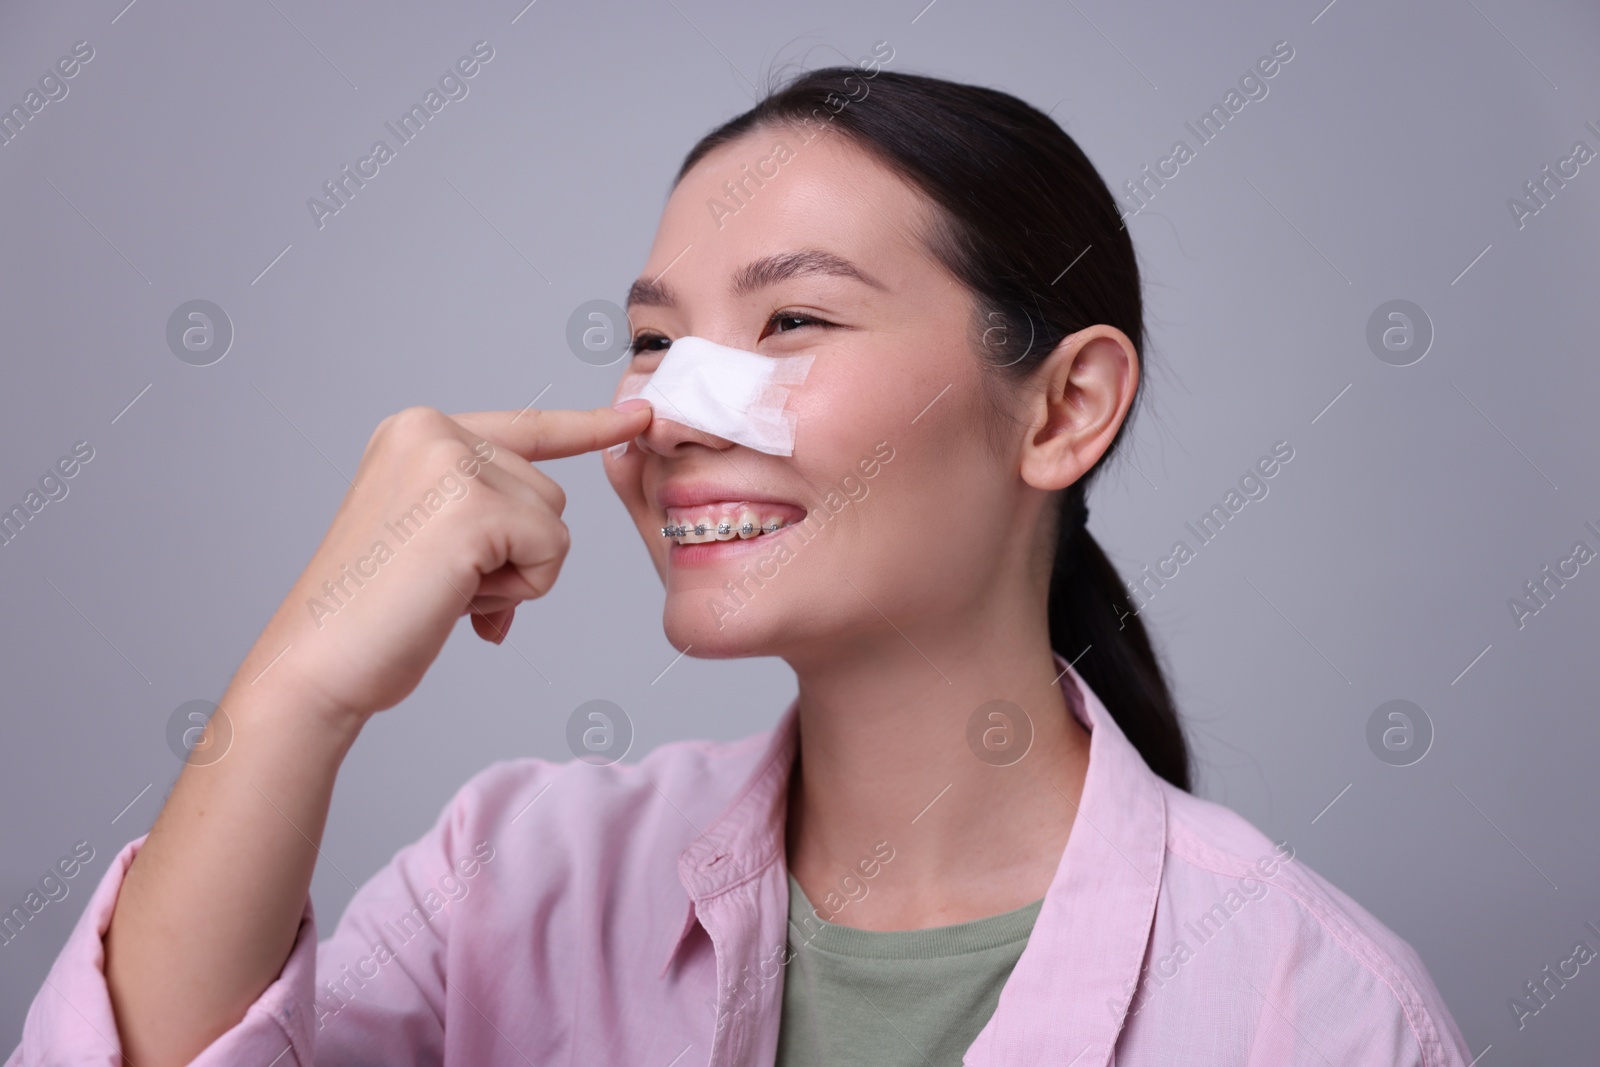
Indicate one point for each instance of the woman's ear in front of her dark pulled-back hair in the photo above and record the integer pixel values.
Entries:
(1081, 396)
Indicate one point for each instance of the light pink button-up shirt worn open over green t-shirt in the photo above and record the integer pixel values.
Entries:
(638, 914)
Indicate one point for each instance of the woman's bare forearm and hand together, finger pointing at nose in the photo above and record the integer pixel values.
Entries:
(446, 516)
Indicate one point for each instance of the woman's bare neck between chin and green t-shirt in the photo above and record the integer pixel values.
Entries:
(886, 769)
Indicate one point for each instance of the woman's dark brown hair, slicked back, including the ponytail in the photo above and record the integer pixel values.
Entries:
(1018, 202)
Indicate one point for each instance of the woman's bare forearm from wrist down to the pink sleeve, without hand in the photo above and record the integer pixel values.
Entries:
(212, 903)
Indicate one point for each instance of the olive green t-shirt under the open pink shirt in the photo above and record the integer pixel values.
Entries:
(882, 999)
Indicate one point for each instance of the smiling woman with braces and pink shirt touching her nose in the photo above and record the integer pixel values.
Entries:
(956, 842)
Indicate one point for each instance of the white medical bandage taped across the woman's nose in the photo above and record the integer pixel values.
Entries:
(727, 393)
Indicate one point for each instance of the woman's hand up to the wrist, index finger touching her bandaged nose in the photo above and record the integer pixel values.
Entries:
(447, 516)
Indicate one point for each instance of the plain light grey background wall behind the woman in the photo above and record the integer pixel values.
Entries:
(1380, 565)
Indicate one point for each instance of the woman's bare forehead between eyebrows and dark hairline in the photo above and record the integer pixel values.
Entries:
(772, 194)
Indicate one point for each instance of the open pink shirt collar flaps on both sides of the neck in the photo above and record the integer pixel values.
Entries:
(1070, 993)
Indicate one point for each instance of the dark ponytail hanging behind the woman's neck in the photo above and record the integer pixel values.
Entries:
(1092, 617)
